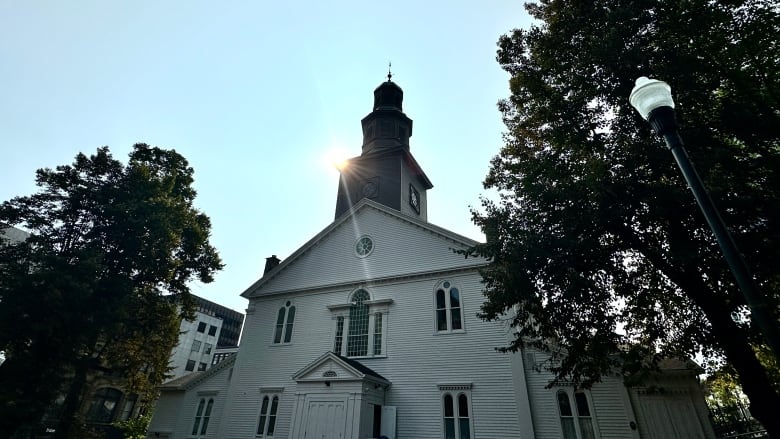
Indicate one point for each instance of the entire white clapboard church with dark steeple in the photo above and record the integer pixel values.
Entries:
(370, 329)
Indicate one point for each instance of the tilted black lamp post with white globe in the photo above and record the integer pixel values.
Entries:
(653, 100)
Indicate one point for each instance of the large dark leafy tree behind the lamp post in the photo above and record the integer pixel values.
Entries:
(597, 246)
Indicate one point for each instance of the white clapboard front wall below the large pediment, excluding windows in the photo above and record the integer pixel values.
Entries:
(417, 358)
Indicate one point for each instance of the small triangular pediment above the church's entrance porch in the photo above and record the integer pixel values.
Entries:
(332, 367)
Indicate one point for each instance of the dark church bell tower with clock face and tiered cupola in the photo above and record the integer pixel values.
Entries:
(385, 171)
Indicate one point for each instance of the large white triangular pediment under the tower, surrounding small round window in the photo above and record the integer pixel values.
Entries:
(402, 247)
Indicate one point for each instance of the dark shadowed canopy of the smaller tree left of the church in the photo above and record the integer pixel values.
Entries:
(102, 280)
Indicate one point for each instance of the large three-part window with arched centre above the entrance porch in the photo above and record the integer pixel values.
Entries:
(365, 324)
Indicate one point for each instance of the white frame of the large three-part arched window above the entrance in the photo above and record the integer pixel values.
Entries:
(375, 307)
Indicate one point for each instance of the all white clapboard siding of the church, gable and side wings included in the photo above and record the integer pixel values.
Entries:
(409, 259)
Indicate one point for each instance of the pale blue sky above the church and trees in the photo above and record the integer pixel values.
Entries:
(254, 95)
